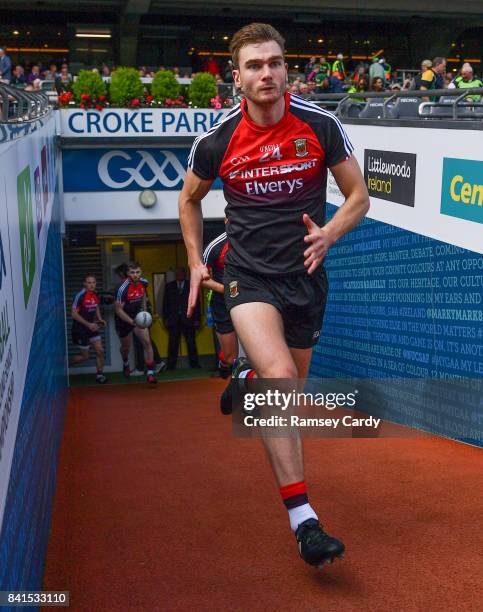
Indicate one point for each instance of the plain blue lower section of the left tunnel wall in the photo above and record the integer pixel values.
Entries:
(23, 541)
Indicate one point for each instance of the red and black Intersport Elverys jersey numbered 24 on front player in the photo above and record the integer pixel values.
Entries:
(271, 175)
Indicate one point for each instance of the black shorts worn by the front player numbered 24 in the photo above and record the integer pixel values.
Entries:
(300, 299)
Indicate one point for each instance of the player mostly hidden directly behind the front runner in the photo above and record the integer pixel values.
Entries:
(214, 260)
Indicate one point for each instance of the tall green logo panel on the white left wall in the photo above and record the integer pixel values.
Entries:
(27, 232)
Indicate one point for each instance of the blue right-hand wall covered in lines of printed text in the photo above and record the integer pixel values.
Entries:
(404, 306)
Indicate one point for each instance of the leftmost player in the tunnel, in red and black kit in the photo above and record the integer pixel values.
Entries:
(86, 319)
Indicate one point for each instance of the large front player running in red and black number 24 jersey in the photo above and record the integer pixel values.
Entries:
(272, 152)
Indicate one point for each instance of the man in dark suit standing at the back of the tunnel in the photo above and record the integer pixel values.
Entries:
(175, 306)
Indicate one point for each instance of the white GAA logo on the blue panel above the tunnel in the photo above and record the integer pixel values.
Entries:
(143, 169)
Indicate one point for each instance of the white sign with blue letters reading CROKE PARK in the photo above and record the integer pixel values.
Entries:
(120, 122)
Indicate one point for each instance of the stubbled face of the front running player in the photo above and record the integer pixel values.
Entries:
(262, 73)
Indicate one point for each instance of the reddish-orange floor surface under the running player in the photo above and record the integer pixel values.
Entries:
(158, 507)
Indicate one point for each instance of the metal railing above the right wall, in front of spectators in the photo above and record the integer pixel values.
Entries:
(460, 108)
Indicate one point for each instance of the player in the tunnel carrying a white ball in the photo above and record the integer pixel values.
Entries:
(131, 299)
